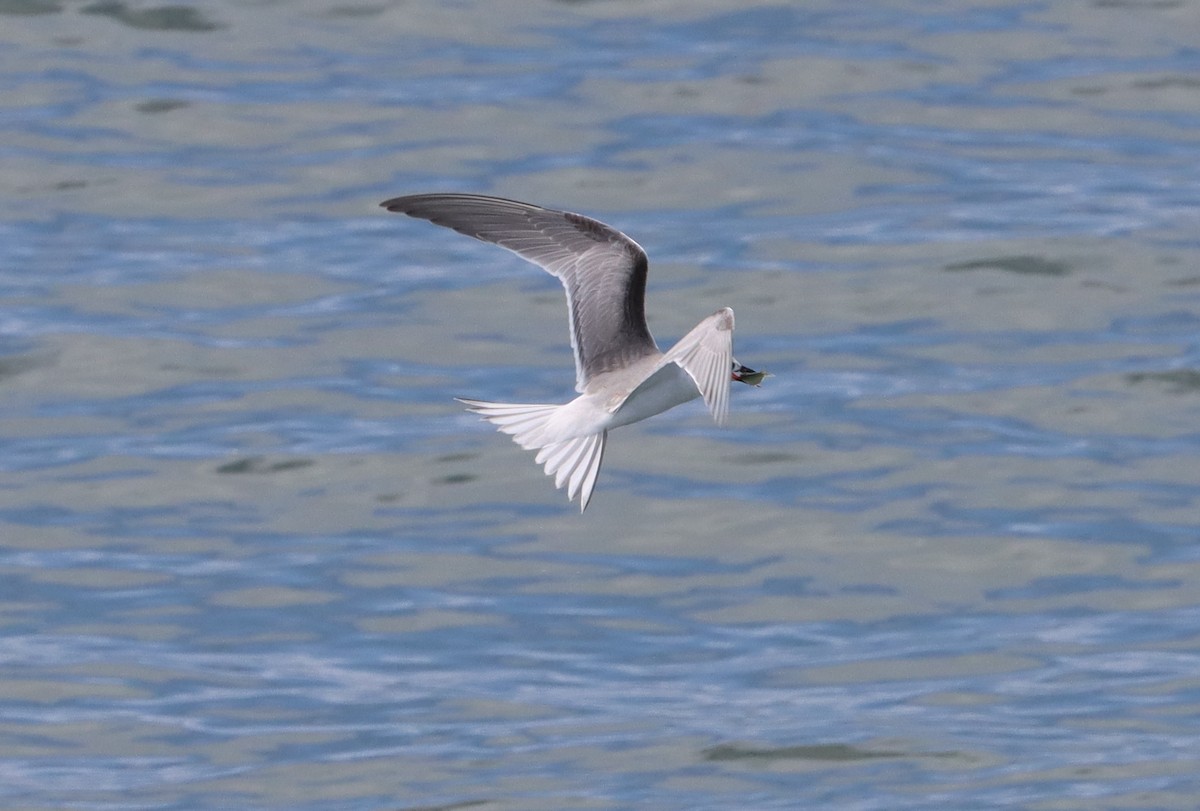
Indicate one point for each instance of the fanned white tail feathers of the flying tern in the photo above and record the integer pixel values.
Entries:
(574, 462)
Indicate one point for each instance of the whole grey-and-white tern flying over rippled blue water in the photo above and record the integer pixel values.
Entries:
(621, 375)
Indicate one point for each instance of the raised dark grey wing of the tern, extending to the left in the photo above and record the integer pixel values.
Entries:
(603, 271)
